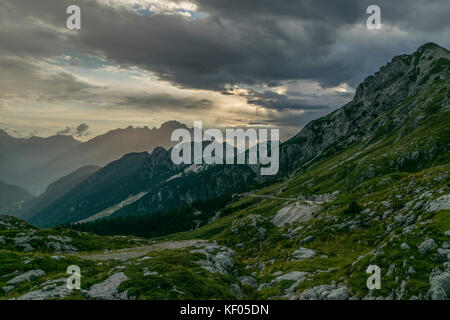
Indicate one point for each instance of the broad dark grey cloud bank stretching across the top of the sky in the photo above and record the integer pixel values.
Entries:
(242, 41)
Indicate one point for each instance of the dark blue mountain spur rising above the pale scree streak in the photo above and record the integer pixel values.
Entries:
(113, 183)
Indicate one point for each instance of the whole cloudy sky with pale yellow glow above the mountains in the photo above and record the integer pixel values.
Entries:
(229, 63)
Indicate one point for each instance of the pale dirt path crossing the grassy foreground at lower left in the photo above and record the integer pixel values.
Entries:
(131, 253)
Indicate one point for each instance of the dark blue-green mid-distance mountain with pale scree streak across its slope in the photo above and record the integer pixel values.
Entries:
(152, 178)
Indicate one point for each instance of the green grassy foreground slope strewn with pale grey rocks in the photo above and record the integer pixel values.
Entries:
(313, 254)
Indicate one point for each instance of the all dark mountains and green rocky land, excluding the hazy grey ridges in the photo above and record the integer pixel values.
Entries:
(367, 185)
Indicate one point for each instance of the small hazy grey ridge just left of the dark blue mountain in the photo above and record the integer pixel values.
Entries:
(55, 191)
